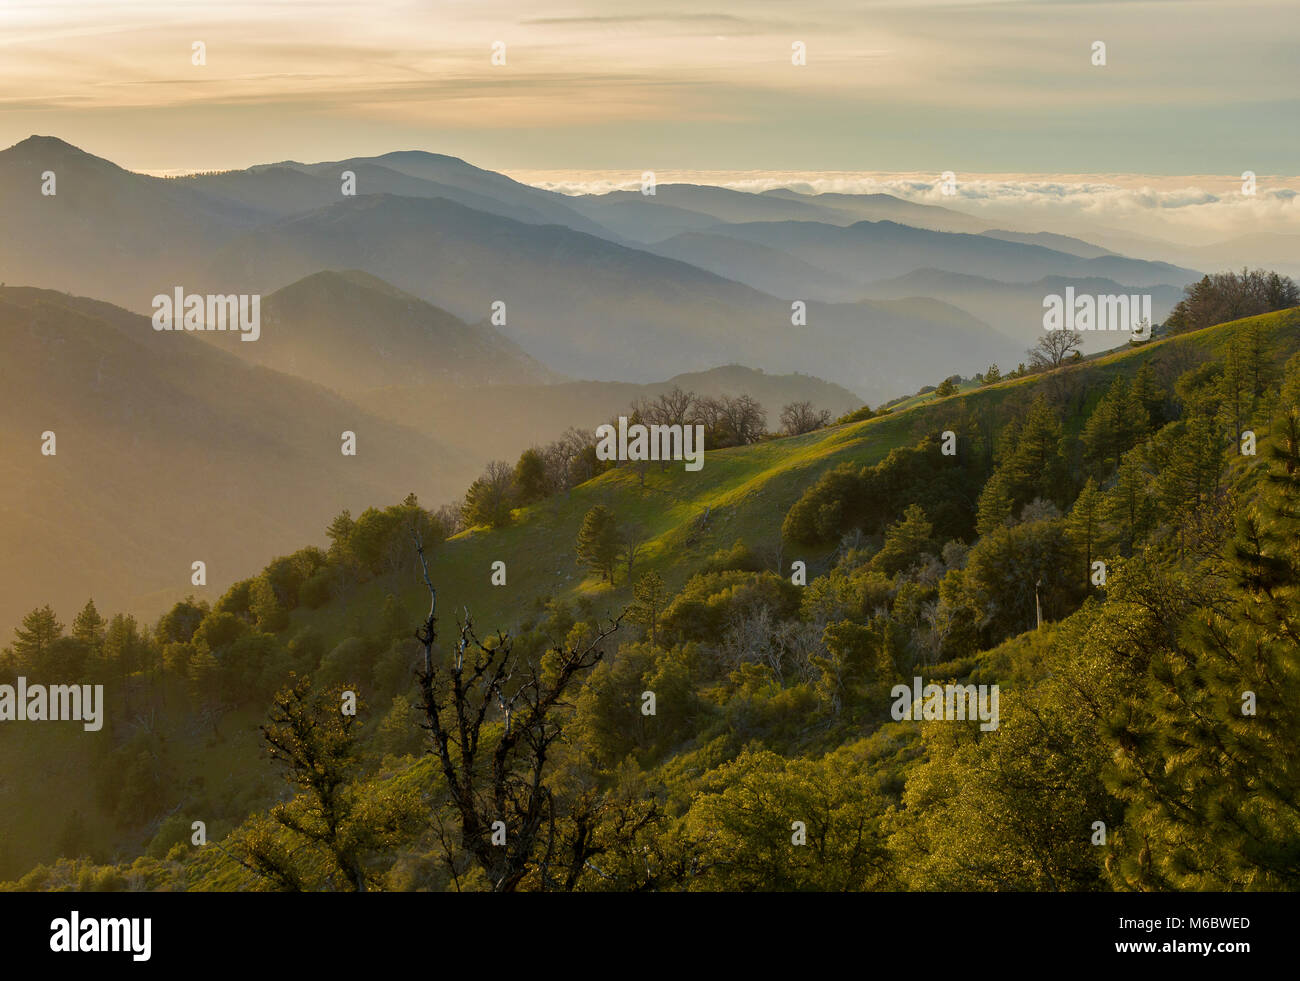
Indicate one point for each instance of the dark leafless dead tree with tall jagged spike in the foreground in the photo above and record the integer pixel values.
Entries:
(497, 789)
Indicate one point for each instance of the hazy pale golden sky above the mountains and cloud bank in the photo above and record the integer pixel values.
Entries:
(1190, 88)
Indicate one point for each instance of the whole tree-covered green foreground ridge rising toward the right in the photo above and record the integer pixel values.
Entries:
(773, 698)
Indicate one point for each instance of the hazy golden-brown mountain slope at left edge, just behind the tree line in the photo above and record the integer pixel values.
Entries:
(171, 452)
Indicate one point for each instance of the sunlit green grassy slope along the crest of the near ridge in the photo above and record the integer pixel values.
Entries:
(744, 493)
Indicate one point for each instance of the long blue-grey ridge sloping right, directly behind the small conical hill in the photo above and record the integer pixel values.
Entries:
(590, 306)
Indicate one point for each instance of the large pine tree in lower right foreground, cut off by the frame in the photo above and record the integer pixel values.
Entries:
(1206, 750)
